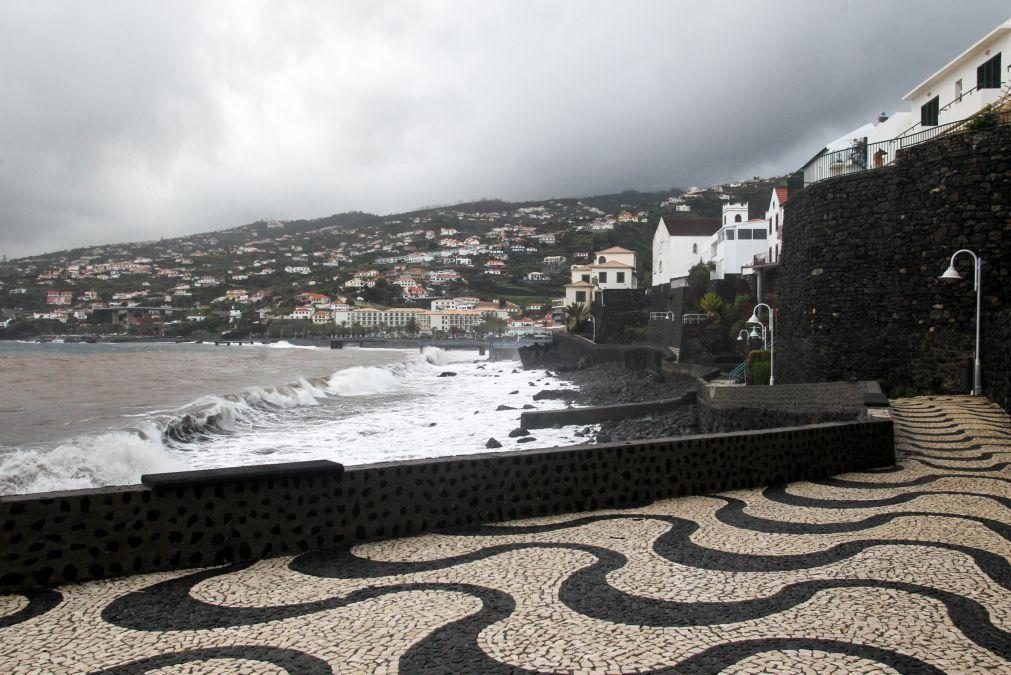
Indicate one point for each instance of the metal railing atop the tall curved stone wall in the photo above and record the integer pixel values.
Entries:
(862, 156)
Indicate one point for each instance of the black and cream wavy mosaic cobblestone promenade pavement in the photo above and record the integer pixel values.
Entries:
(904, 569)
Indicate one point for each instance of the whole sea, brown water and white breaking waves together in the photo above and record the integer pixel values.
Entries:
(88, 416)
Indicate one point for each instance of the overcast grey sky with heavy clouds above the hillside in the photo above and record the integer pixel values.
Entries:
(135, 120)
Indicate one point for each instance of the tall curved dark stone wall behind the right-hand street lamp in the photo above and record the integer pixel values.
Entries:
(860, 297)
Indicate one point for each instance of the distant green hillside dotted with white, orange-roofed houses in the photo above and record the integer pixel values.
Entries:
(453, 271)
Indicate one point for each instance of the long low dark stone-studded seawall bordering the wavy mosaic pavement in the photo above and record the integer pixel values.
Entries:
(185, 521)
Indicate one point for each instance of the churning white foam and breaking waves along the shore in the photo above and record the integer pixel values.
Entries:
(356, 416)
